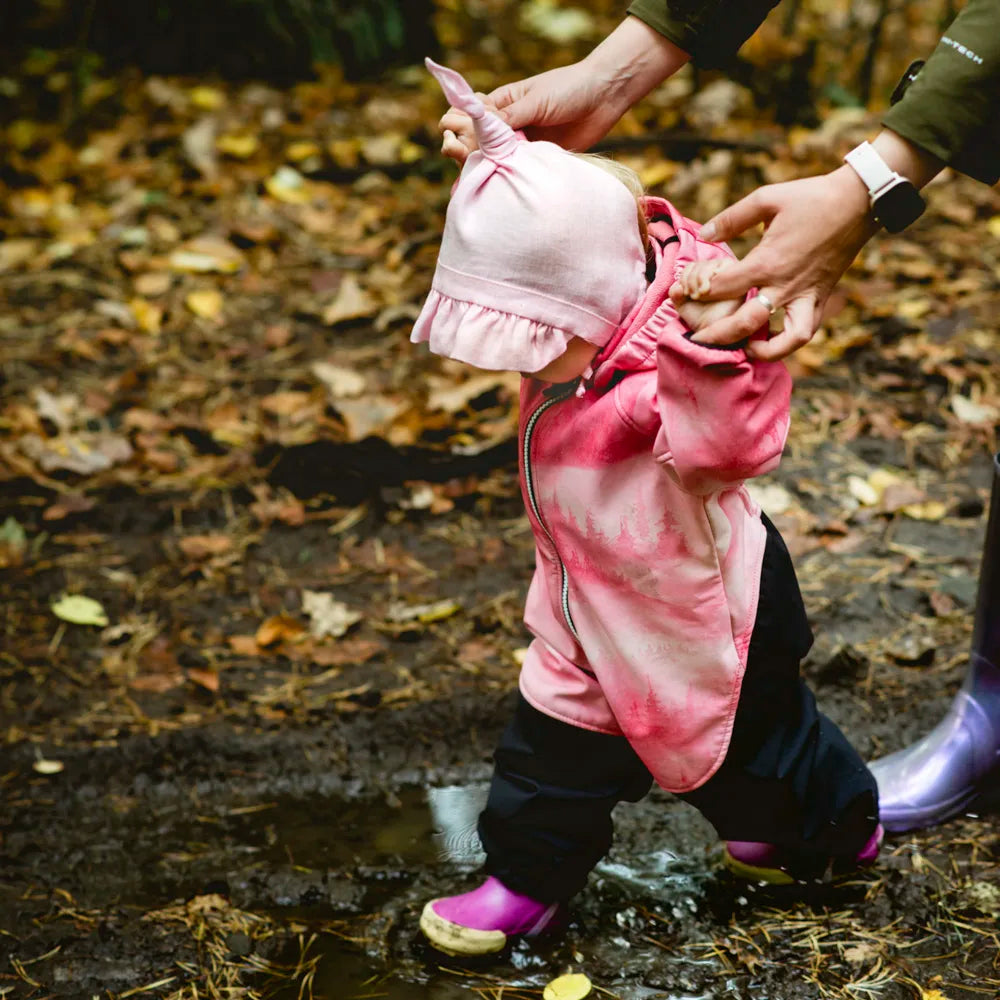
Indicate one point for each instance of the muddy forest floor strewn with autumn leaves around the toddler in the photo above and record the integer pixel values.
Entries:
(262, 565)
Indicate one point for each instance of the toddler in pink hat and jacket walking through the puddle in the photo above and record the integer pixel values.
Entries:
(668, 624)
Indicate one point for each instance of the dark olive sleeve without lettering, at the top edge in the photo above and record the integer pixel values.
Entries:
(710, 31)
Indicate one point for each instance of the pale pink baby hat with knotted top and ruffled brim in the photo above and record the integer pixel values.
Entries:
(539, 246)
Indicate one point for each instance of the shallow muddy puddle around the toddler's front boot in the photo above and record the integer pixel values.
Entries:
(429, 834)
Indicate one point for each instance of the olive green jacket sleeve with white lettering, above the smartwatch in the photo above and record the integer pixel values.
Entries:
(951, 108)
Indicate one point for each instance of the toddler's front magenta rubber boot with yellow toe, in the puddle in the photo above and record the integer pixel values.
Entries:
(480, 922)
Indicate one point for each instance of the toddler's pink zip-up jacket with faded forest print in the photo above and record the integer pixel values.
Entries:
(649, 546)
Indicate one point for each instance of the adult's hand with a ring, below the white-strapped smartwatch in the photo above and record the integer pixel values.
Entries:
(813, 229)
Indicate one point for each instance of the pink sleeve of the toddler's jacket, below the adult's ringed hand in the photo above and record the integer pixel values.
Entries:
(723, 417)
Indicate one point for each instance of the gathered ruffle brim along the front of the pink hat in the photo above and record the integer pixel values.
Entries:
(485, 337)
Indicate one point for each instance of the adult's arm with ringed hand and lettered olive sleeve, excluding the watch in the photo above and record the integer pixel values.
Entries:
(815, 227)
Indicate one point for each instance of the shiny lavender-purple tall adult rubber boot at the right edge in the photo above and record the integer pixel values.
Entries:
(943, 773)
